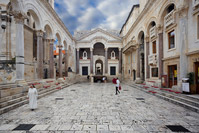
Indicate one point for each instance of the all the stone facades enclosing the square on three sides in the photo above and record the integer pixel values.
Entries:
(158, 44)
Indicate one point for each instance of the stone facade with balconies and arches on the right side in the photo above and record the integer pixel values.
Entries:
(160, 43)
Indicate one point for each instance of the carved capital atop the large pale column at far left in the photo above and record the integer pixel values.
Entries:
(19, 17)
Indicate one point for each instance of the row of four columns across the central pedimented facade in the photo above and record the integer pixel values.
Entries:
(106, 61)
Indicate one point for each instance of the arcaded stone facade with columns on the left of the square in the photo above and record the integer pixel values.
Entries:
(32, 30)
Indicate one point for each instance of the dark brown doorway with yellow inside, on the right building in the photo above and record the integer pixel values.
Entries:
(173, 79)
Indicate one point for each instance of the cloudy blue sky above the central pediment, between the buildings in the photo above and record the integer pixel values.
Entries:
(88, 14)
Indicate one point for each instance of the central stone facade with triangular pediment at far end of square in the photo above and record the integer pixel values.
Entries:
(98, 53)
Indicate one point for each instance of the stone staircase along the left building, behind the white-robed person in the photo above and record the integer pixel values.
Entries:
(14, 97)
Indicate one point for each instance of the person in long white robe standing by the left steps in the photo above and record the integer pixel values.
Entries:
(32, 95)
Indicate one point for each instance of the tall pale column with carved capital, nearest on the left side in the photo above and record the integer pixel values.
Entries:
(19, 19)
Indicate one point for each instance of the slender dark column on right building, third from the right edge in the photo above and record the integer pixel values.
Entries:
(147, 58)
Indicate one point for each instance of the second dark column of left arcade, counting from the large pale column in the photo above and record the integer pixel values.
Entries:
(51, 60)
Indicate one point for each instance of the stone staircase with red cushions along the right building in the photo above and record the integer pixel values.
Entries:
(191, 103)
